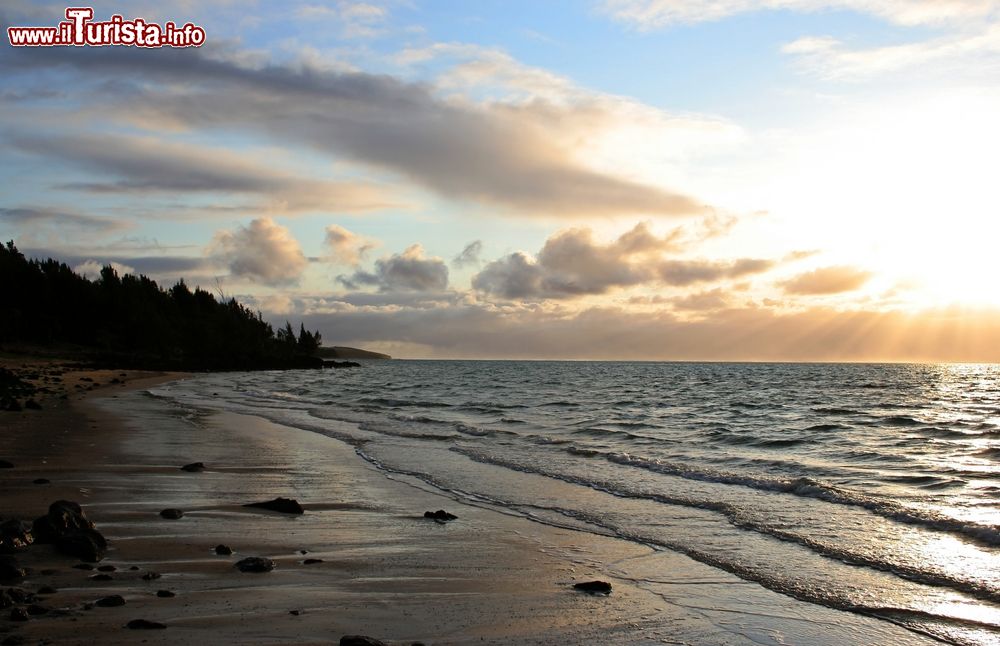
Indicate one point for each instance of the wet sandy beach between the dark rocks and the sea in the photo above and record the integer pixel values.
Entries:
(385, 571)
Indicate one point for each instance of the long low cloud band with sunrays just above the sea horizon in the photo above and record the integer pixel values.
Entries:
(610, 333)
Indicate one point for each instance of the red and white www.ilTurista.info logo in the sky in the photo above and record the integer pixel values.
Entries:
(79, 30)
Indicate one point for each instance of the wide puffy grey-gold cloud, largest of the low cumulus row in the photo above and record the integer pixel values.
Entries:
(572, 264)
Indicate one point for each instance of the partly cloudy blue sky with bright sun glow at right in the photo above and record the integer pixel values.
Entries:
(750, 180)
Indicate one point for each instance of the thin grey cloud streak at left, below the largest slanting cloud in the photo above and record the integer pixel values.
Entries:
(129, 164)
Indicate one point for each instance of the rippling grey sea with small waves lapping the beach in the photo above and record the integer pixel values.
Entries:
(869, 488)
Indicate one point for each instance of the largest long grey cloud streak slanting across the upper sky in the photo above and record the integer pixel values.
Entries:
(516, 156)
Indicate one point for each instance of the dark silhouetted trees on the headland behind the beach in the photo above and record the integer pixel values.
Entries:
(130, 321)
